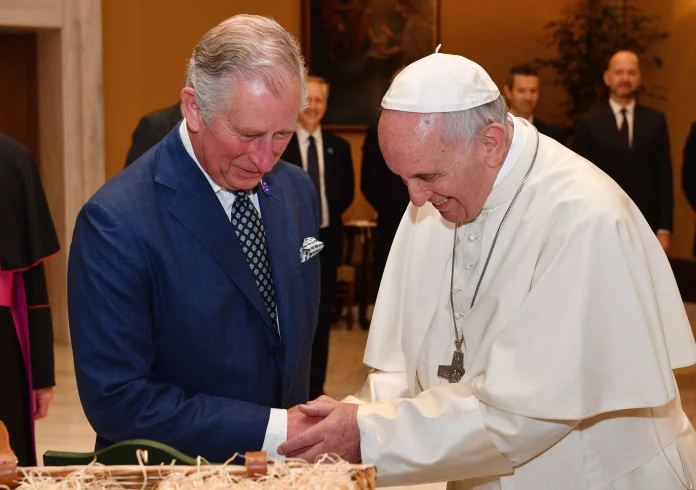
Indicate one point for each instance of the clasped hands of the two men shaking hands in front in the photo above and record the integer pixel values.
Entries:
(323, 426)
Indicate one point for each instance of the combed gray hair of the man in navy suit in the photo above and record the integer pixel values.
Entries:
(243, 47)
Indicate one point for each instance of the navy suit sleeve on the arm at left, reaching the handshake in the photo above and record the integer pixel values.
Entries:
(110, 291)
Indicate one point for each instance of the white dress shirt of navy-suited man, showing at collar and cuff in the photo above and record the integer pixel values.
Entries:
(277, 429)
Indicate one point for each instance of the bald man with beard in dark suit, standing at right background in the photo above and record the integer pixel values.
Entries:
(630, 143)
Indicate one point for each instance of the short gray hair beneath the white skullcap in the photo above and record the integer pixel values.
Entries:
(464, 127)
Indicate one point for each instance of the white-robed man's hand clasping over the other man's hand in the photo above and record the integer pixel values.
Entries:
(338, 433)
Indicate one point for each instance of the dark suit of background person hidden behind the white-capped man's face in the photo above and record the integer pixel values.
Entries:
(386, 193)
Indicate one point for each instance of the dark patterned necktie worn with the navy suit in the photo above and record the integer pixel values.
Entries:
(249, 229)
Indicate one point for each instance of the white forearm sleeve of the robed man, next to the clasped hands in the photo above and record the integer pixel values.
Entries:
(440, 435)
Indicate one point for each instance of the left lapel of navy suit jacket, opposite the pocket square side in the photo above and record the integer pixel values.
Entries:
(198, 209)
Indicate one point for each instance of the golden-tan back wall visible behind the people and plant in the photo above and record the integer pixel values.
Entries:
(147, 42)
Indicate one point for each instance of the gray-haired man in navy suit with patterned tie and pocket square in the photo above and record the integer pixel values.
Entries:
(193, 278)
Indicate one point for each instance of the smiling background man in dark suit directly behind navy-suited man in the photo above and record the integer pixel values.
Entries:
(327, 159)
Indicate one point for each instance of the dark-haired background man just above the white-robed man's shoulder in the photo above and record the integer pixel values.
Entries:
(522, 93)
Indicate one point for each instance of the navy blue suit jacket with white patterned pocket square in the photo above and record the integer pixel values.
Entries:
(171, 338)
